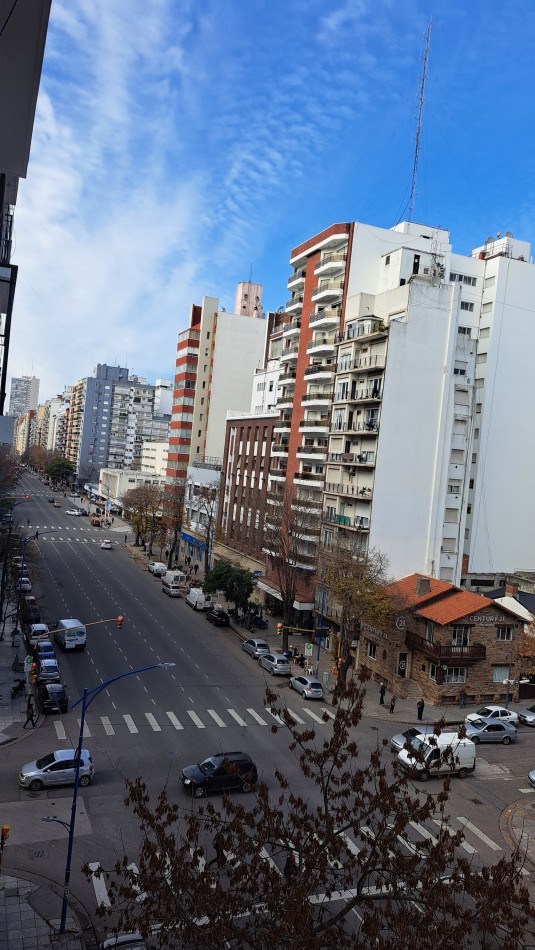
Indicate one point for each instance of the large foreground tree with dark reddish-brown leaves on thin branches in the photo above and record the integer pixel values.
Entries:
(352, 882)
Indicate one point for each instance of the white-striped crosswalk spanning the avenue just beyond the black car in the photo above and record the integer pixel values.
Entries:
(198, 718)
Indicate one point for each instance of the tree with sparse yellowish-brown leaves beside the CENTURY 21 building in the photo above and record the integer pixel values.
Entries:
(356, 582)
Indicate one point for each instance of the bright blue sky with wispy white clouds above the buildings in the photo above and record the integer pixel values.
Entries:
(179, 143)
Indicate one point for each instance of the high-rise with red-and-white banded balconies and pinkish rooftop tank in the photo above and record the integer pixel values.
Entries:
(216, 360)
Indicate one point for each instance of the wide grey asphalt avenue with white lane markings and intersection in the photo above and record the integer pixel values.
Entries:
(154, 723)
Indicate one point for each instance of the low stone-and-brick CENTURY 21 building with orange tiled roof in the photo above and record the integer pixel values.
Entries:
(446, 640)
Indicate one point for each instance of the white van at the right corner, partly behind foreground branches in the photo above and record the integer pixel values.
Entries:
(448, 755)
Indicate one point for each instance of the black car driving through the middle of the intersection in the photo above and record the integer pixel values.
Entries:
(221, 772)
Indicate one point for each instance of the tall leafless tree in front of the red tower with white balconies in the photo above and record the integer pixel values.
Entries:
(291, 523)
